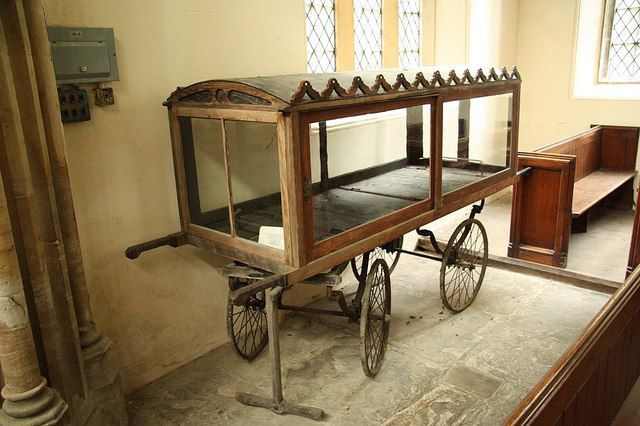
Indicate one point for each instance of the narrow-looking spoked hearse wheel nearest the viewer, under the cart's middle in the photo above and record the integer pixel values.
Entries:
(375, 316)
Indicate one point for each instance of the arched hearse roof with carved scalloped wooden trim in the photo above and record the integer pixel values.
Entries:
(282, 91)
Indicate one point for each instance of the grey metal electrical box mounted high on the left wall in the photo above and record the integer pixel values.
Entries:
(83, 55)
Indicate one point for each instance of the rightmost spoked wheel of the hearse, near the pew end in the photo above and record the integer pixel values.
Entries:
(464, 263)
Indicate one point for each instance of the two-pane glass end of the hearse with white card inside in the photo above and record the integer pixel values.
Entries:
(254, 178)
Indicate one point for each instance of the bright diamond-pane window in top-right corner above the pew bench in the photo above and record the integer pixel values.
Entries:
(620, 56)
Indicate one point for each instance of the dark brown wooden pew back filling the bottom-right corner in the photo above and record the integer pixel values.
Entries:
(591, 380)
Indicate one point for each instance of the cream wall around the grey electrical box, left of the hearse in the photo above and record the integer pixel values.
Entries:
(167, 307)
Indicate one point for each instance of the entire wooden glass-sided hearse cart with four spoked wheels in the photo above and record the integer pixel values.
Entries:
(295, 176)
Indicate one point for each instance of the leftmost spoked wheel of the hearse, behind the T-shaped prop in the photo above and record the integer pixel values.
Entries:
(247, 324)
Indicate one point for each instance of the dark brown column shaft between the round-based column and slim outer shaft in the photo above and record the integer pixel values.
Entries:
(28, 187)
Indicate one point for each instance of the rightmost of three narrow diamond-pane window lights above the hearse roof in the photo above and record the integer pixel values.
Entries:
(409, 33)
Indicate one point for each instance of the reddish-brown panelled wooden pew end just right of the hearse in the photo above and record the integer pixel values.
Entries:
(541, 209)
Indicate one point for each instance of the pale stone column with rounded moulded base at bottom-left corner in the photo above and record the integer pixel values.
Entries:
(28, 399)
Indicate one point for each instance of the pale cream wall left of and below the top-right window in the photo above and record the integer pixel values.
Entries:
(545, 60)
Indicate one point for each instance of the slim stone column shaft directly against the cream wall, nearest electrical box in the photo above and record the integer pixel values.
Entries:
(102, 379)
